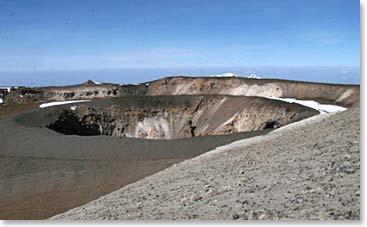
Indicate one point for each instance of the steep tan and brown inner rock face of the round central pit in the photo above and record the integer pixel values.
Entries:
(166, 117)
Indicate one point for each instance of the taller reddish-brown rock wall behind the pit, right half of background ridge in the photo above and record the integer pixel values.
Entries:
(344, 95)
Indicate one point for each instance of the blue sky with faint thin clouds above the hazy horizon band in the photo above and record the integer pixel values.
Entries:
(97, 34)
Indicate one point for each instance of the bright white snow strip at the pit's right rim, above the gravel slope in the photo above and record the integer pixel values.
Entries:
(322, 108)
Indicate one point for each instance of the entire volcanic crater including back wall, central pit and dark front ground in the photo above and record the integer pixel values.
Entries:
(53, 156)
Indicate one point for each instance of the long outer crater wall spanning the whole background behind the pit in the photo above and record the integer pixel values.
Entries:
(343, 95)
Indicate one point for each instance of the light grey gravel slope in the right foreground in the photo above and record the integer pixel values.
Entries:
(307, 170)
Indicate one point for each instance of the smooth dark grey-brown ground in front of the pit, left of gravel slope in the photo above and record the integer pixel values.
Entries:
(43, 173)
